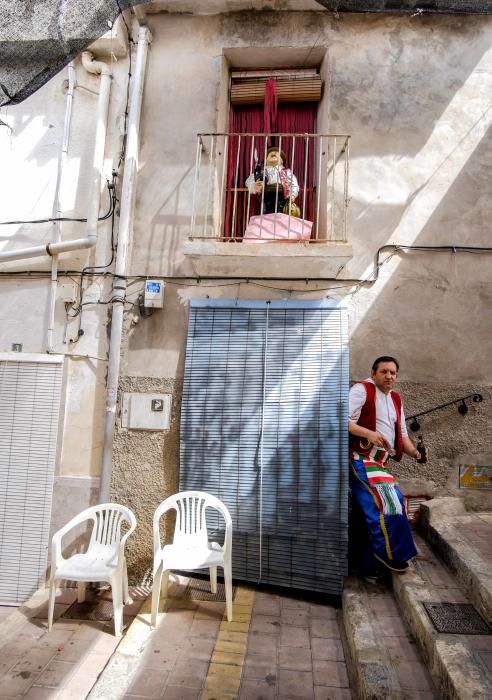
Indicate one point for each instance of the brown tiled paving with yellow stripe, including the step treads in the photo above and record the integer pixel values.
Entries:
(279, 646)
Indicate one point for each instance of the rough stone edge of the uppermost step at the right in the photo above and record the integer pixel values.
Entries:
(472, 572)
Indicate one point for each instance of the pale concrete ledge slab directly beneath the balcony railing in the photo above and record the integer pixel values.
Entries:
(275, 259)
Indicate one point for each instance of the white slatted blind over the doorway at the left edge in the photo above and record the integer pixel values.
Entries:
(30, 392)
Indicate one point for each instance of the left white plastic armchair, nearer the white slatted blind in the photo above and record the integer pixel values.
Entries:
(104, 559)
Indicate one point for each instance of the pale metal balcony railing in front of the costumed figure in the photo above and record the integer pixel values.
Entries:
(223, 205)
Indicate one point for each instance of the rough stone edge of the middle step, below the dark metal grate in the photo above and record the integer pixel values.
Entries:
(455, 670)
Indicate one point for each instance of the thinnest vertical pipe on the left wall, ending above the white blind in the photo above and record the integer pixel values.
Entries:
(57, 208)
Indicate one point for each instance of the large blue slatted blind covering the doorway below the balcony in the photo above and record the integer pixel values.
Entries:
(263, 427)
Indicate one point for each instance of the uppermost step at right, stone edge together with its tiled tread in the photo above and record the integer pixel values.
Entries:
(464, 542)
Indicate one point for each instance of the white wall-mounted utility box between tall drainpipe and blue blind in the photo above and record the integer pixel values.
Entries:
(146, 411)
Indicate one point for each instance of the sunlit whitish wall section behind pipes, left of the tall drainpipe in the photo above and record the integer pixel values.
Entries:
(30, 153)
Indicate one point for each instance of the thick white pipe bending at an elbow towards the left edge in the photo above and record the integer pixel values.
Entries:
(55, 248)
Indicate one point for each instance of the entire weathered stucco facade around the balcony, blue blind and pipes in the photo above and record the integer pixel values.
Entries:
(414, 93)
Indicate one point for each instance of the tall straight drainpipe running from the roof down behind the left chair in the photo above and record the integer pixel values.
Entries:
(127, 207)
